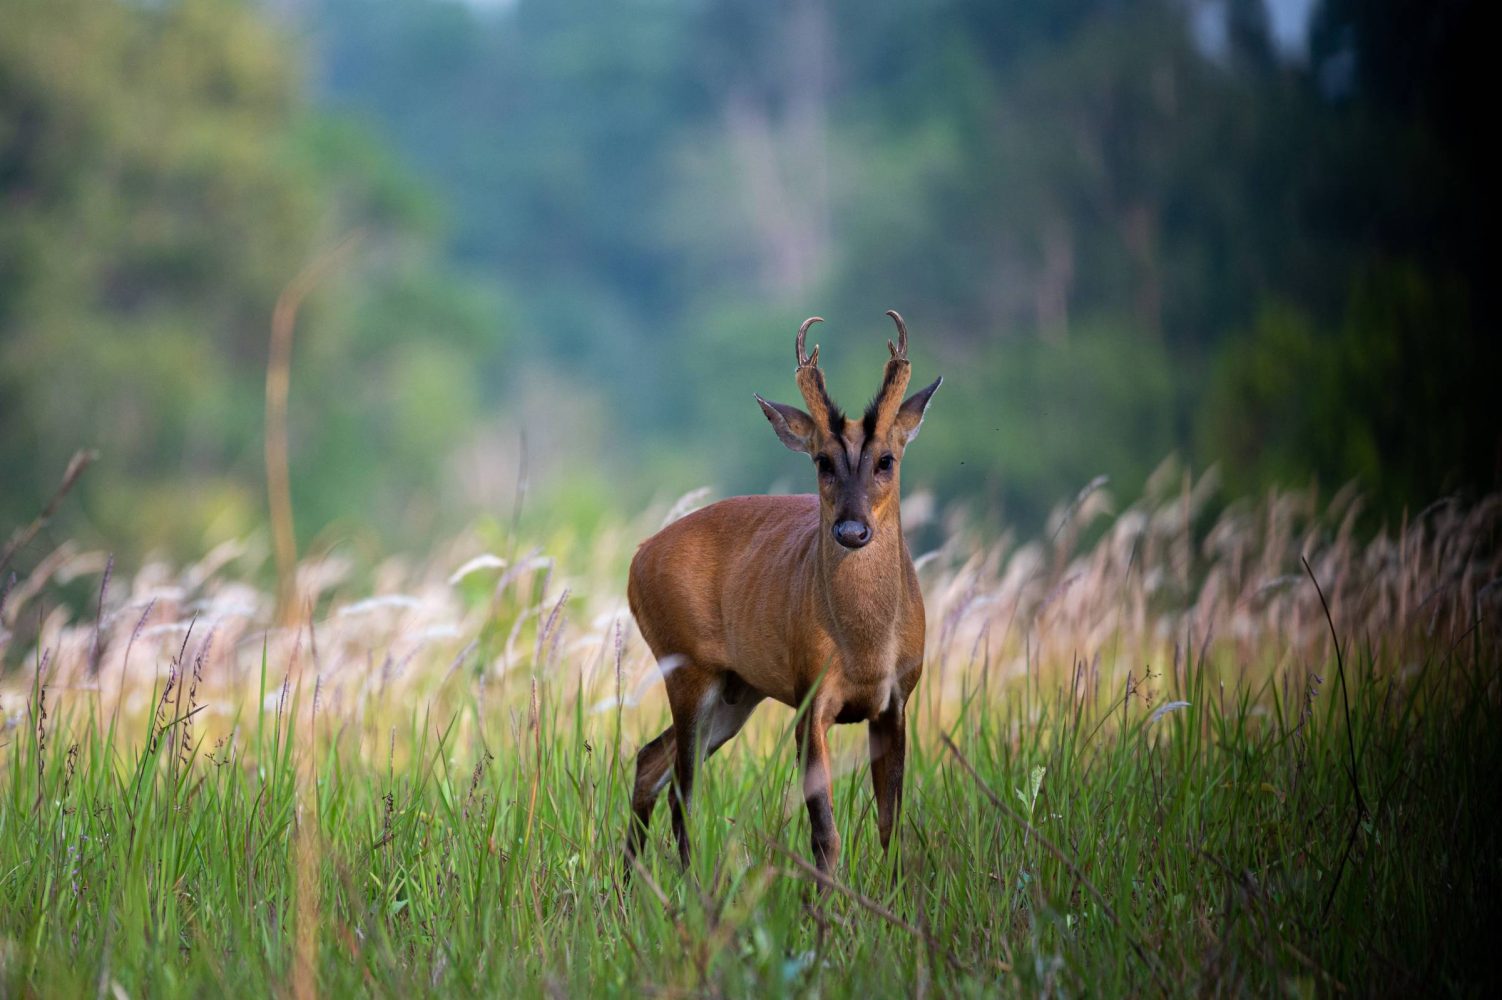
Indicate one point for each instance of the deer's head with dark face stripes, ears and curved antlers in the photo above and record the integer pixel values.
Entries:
(857, 462)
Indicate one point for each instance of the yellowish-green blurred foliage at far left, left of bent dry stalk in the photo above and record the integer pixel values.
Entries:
(152, 208)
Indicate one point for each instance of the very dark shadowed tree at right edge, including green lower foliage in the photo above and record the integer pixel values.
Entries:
(1387, 375)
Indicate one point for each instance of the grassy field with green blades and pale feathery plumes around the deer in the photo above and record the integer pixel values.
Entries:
(1141, 765)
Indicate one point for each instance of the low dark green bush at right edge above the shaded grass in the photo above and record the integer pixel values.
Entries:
(1393, 400)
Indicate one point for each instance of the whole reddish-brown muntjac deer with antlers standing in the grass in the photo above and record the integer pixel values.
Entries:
(809, 598)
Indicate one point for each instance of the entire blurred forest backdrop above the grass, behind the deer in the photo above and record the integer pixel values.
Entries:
(1250, 233)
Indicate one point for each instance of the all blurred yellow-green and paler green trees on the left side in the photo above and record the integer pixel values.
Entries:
(161, 182)
